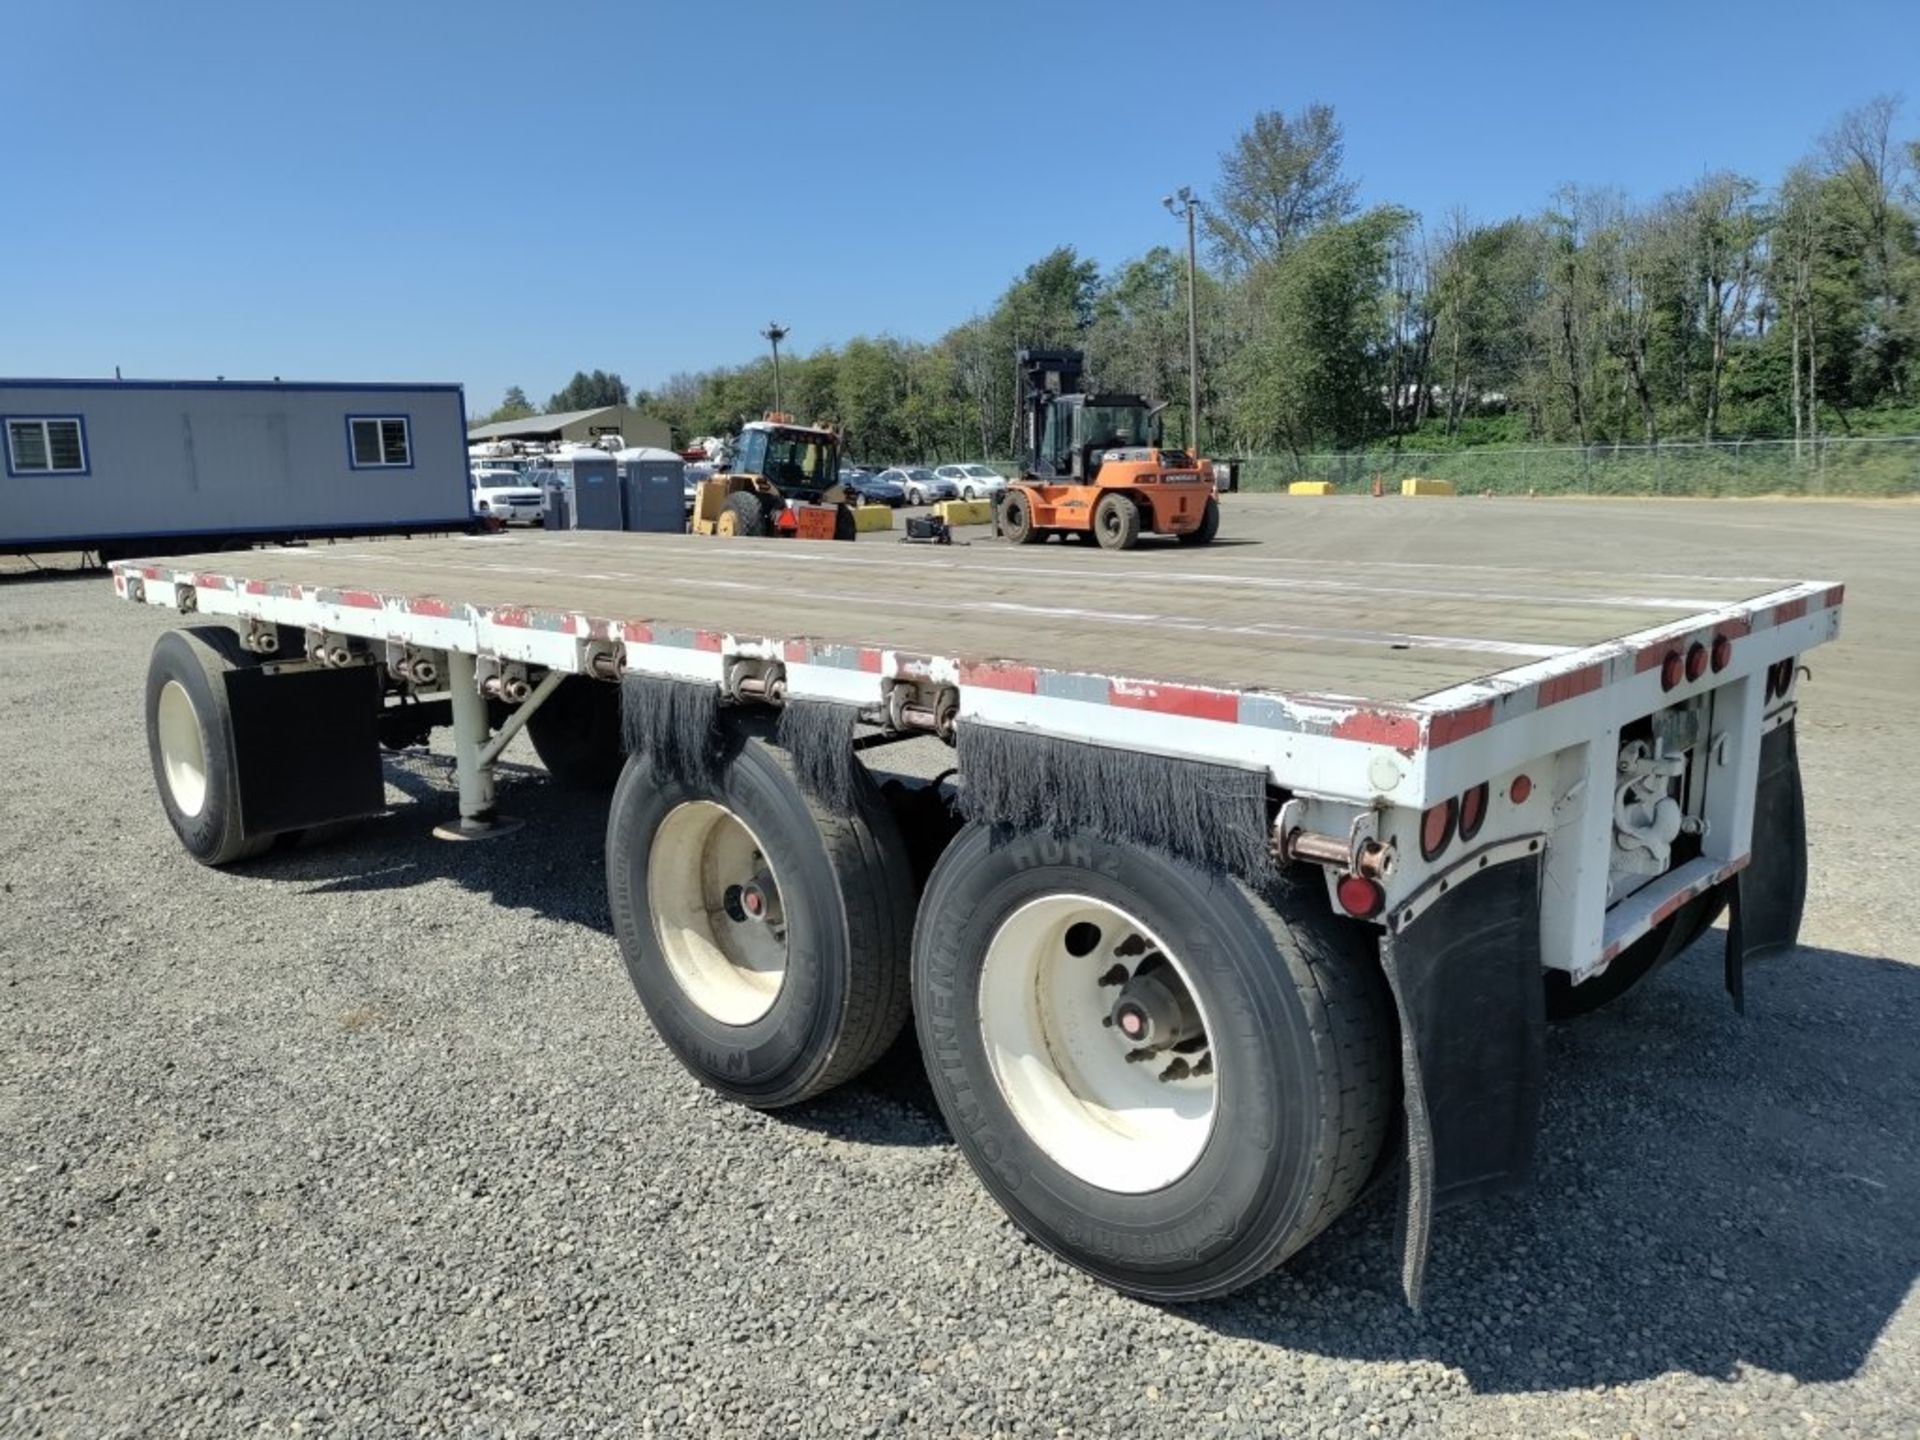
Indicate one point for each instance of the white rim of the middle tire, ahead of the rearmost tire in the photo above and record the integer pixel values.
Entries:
(723, 959)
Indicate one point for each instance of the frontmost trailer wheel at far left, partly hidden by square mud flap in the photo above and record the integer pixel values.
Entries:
(189, 738)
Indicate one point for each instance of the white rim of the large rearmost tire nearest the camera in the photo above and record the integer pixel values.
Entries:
(1065, 1070)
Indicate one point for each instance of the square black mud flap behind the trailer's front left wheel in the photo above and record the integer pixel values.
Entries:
(306, 746)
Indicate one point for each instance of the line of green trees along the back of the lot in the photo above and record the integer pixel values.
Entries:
(1725, 310)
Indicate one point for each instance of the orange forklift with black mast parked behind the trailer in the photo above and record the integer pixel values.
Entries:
(1095, 464)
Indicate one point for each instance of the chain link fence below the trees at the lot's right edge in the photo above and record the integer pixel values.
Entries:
(1731, 468)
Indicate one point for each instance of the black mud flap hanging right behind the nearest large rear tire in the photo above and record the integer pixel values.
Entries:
(1468, 984)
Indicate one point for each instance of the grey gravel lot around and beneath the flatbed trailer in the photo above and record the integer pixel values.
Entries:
(375, 1140)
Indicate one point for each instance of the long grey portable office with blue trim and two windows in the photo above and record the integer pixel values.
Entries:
(141, 468)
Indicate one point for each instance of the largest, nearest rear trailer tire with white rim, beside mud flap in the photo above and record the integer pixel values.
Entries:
(1015, 936)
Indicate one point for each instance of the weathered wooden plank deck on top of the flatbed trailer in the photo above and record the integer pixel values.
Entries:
(1297, 600)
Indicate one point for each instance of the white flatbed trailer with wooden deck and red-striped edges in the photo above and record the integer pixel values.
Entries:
(1508, 792)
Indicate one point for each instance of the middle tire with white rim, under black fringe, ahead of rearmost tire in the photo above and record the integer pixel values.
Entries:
(842, 886)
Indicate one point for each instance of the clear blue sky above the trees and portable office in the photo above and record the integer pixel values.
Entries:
(502, 195)
